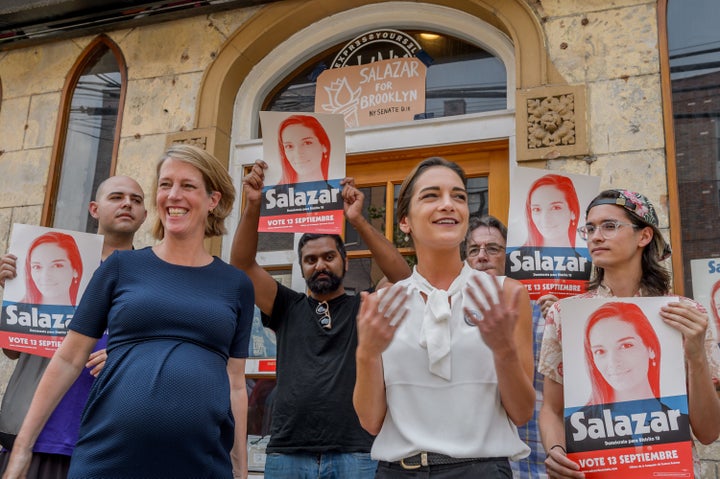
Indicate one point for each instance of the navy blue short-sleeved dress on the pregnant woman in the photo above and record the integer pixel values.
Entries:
(160, 408)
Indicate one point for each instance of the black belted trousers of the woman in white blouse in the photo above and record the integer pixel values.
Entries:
(481, 469)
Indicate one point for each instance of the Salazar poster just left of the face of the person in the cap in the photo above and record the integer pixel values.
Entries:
(544, 250)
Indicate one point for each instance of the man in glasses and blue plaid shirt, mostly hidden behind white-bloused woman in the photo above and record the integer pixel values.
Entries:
(485, 251)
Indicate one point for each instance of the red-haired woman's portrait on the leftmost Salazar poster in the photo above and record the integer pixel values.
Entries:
(53, 270)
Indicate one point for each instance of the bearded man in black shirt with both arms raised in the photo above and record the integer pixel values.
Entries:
(315, 432)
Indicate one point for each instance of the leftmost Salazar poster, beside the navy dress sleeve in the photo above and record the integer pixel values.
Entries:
(53, 269)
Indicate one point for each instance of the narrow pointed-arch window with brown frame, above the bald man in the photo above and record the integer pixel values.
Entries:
(91, 129)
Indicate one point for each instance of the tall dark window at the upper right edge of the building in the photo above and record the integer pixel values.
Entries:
(694, 58)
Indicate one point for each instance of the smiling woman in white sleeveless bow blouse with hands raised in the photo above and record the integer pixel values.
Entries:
(444, 358)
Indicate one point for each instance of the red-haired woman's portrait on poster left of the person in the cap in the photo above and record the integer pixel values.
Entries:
(552, 212)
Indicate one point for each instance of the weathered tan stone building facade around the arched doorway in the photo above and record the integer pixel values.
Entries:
(203, 79)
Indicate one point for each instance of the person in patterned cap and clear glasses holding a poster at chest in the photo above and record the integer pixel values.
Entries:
(627, 251)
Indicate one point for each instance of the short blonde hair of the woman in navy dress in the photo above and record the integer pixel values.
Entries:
(215, 177)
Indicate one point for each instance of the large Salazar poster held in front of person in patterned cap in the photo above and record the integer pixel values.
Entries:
(626, 408)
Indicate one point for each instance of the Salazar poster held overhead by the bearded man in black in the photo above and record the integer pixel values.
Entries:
(305, 153)
